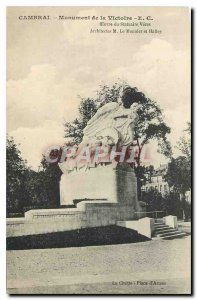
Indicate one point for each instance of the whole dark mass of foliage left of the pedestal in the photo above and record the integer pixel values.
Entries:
(26, 188)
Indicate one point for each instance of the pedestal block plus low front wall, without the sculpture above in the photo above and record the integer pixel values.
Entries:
(113, 194)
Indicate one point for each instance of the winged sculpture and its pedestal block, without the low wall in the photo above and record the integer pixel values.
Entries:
(105, 175)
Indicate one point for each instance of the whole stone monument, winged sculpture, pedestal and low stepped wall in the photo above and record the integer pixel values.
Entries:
(97, 174)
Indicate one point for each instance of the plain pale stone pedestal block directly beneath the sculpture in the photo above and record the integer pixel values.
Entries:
(116, 184)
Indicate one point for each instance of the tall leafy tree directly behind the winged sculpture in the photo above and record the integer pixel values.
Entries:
(150, 125)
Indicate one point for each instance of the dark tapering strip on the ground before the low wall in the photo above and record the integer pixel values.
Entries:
(107, 235)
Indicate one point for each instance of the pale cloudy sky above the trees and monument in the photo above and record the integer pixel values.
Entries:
(51, 62)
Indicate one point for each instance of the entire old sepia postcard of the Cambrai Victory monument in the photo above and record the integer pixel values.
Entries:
(99, 150)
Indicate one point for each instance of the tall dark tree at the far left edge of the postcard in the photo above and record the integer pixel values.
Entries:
(16, 170)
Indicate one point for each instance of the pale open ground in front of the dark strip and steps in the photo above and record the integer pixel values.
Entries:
(154, 267)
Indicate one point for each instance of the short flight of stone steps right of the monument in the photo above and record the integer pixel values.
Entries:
(163, 231)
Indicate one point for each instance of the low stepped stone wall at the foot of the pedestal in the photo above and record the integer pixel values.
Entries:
(87, 214)
